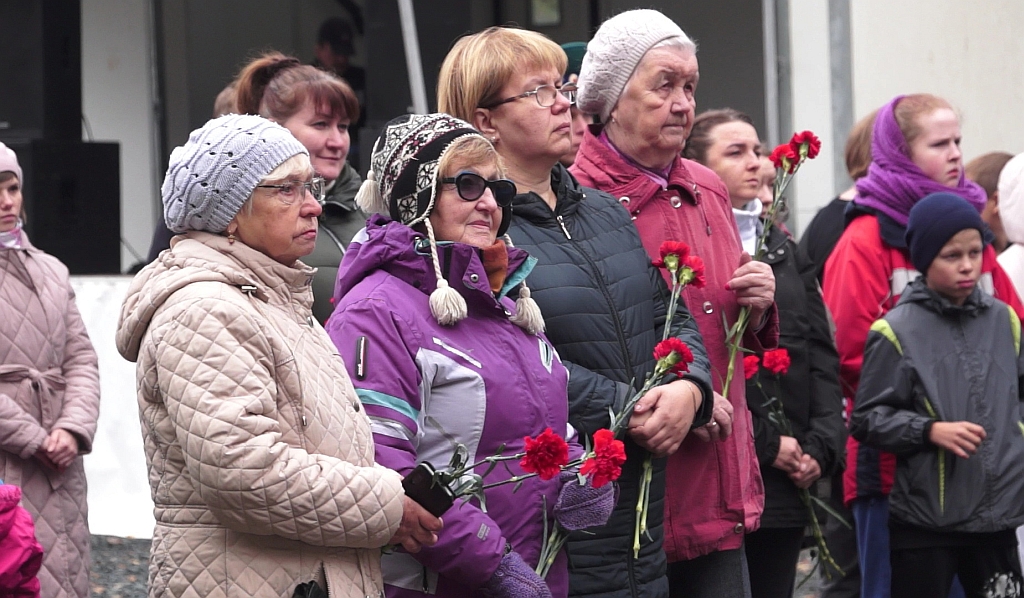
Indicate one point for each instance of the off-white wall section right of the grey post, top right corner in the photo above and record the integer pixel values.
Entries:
(969, 53)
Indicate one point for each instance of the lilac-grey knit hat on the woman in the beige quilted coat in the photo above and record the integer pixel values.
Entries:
(211, 177)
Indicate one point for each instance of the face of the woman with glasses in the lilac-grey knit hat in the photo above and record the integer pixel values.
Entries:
(282, 223)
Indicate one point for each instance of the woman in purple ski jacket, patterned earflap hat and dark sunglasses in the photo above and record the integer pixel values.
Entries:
(442, 357)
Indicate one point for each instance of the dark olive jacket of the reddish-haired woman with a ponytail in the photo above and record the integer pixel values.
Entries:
(339, 223)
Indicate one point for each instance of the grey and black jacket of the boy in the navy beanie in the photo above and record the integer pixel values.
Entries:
(929, 361)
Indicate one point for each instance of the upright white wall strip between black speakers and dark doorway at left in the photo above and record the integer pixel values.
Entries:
(118, 104)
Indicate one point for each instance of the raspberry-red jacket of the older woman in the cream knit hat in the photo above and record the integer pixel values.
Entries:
(714, 493)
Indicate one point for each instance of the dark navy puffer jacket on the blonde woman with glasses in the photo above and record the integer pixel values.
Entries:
(605, 306)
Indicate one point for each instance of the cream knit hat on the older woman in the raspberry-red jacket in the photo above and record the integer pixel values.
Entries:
(613, 56)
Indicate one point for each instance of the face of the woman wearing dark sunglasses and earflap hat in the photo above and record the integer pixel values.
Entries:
(472, 222)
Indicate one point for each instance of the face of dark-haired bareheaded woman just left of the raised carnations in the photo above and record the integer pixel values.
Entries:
(734, 157)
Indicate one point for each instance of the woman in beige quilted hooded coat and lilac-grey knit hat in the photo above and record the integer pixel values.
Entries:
(261, 455)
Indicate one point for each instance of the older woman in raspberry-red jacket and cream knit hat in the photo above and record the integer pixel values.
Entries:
(641, 76)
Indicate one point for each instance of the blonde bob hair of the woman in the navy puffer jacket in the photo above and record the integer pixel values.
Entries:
(481, 65)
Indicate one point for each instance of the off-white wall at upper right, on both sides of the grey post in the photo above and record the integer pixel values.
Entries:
(969, 53)
